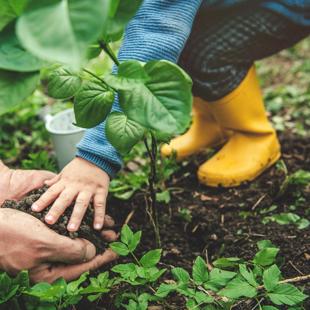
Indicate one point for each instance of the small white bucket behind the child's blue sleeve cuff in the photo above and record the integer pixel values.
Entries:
(65, 136)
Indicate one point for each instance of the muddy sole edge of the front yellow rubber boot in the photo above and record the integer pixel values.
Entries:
(203, 179)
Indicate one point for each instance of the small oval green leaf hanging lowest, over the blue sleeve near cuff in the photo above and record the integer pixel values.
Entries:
(122, 132)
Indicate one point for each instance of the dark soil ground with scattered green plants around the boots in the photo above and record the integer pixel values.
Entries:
(197, 221)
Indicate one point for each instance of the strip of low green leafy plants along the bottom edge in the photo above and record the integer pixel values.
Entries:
(226, 284)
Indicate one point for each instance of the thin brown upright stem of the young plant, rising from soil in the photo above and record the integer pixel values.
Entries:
(151, 201)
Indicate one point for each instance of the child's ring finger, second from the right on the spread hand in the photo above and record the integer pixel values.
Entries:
(80, 207)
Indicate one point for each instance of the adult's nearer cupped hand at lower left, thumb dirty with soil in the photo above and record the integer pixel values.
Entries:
(27, 243)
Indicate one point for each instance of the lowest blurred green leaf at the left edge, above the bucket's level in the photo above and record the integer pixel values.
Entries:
(15, 87)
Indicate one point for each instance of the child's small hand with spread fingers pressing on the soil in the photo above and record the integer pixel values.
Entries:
(79, 181)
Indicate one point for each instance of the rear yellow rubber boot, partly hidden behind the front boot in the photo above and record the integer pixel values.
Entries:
(203, 133)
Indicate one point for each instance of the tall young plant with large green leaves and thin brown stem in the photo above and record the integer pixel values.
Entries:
(155, 97)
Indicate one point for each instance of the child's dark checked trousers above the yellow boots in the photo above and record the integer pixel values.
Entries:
(224, 45)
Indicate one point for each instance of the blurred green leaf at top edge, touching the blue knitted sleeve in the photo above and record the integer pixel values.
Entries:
(120, 14)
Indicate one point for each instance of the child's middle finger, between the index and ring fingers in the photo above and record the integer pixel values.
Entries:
(60, 205)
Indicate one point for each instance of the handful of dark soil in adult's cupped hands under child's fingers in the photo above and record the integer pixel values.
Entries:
(86, 230)
